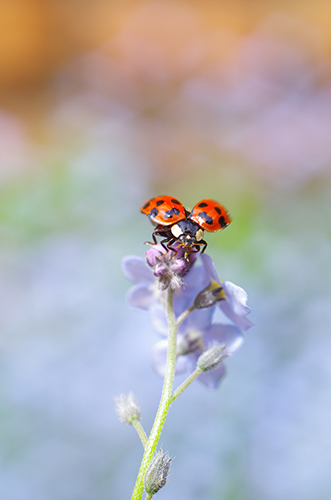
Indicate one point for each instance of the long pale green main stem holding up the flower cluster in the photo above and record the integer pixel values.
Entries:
(165, 402)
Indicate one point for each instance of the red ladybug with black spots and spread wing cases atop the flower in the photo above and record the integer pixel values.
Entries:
(174, 223)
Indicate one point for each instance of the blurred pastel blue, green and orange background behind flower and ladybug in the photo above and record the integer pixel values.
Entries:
(104, 104)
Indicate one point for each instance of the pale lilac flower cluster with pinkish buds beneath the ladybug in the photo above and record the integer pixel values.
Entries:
(198, 289)
